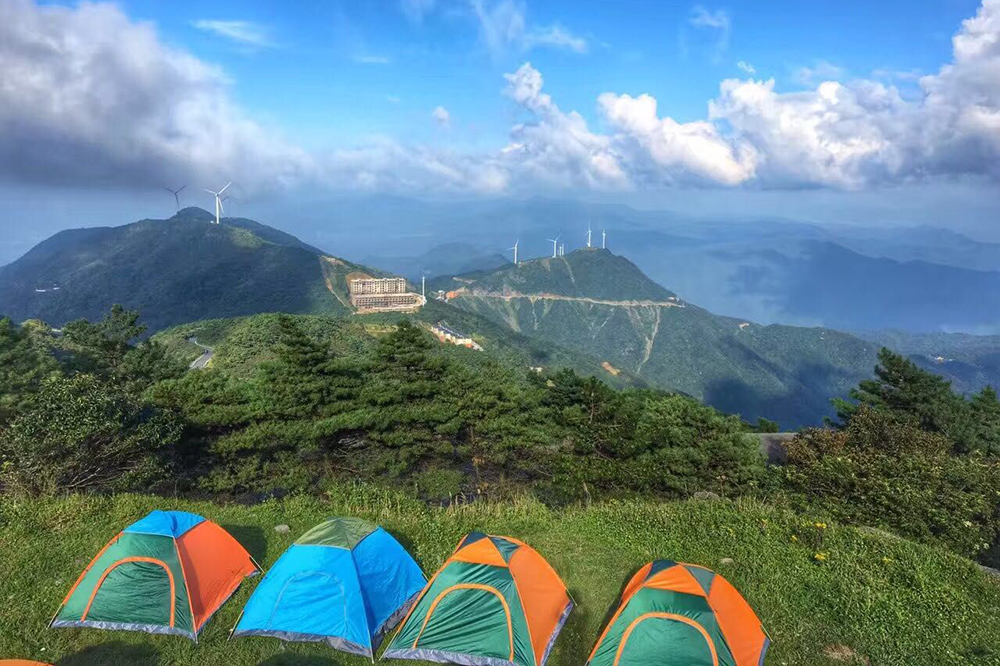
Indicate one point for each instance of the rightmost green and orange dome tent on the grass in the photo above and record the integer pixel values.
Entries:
(674, 614)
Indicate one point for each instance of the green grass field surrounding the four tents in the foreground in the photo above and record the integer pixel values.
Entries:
(887, 601)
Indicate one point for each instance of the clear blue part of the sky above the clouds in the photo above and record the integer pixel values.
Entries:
(331, 73)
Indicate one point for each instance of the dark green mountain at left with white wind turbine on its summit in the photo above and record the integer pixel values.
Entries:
(175, 270)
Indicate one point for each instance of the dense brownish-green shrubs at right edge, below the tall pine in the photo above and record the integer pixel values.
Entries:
(884, 470)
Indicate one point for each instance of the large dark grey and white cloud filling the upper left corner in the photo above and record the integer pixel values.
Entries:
(90, 97)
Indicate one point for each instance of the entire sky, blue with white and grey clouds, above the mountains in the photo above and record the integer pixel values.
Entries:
(855, 112)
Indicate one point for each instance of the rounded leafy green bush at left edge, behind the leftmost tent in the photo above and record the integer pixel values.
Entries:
(81, 433)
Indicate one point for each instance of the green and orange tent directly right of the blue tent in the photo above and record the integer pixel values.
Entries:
(494, 602)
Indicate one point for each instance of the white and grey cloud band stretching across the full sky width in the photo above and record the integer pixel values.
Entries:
(89, 97)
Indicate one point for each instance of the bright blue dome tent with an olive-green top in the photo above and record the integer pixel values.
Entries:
(345, 583)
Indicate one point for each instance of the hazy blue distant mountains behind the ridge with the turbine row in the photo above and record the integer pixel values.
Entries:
(921, 279)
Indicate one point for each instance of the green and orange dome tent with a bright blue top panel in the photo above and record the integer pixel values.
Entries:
(165, 574)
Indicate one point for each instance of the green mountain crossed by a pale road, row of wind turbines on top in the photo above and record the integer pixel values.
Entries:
(601, 304)
